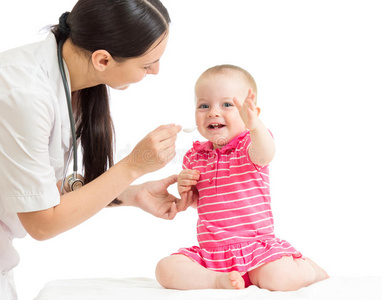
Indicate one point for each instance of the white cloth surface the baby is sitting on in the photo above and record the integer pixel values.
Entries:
(334, 288)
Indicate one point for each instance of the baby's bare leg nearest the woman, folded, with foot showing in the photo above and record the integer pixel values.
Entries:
(180, 272)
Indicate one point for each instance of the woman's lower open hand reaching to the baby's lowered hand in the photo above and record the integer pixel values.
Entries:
(154, 198)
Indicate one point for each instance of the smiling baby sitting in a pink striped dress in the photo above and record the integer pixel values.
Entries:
(227, 178)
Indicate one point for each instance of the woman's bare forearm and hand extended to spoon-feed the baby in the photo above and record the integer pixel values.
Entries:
(151, 153)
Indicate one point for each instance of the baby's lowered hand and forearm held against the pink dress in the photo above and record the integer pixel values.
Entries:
(187, 180)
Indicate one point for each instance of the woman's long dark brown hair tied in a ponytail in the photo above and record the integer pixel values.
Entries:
(124, 28)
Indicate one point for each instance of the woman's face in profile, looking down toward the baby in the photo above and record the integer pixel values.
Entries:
(121, 74)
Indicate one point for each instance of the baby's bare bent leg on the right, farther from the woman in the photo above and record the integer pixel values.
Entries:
(287, 274)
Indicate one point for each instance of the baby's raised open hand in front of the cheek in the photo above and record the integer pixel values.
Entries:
(248, 110)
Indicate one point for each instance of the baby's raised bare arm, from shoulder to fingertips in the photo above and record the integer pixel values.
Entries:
(262, 148)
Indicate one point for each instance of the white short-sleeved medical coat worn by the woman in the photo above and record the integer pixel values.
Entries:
(34, 141)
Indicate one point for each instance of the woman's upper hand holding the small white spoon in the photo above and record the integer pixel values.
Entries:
(154, 151)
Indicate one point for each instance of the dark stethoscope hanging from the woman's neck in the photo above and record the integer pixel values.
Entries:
(73, 181)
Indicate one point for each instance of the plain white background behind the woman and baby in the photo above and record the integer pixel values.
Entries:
(318, 69)
